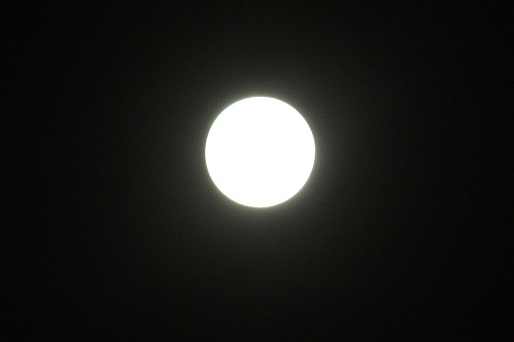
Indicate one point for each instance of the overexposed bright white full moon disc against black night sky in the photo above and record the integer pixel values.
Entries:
(259, 152)
